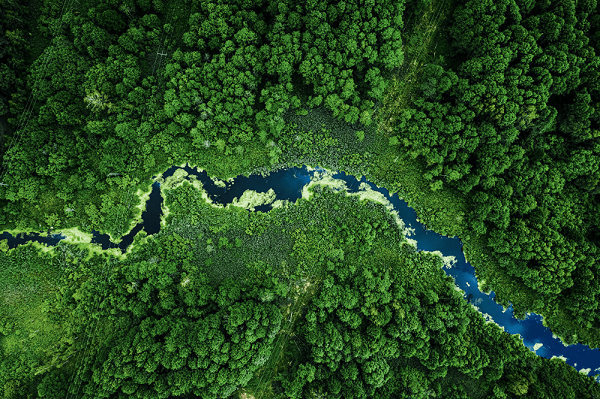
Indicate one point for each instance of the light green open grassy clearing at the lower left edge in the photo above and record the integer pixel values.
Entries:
(38, 330)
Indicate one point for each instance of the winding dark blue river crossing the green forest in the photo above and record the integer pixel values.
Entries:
(288, 185)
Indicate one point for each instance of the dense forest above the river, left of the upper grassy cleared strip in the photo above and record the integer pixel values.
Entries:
(124, 89)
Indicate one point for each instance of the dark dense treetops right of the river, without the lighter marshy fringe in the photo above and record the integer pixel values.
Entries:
(515, 124)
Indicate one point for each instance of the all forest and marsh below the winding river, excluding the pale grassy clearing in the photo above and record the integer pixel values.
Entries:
(351, 310)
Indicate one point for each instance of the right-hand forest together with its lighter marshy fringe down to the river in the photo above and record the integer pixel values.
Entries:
(479, 153)
